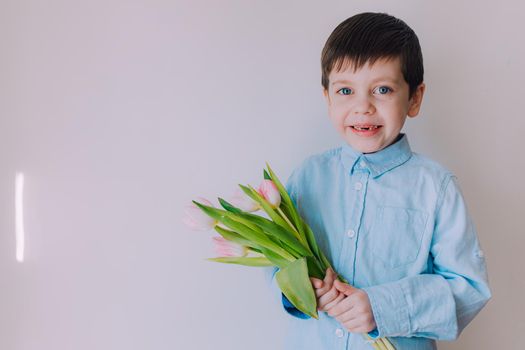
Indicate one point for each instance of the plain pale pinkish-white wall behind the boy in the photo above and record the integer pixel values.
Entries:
(119, 113)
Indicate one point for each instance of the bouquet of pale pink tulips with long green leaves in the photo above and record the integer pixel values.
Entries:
(281, 239)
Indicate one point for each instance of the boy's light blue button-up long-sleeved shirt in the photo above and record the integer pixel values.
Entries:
(395, 224)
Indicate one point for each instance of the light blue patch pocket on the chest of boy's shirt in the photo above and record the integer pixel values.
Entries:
(396, 234)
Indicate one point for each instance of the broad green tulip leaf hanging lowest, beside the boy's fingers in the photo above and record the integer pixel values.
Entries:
(294, 282)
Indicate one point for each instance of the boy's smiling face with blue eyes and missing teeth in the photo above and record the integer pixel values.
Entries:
(369, 106)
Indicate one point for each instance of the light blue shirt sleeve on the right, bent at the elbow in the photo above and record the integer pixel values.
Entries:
(441, 304)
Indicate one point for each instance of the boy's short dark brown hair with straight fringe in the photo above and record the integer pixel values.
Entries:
(367, 37)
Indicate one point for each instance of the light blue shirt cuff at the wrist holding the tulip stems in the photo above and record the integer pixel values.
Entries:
(390, 310)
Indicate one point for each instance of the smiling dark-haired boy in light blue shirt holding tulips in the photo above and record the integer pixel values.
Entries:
(392, 222)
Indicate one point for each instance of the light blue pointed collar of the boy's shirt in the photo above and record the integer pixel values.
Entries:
(379, 162)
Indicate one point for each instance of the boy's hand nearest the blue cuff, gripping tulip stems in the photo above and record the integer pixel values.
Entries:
(354, 312)
